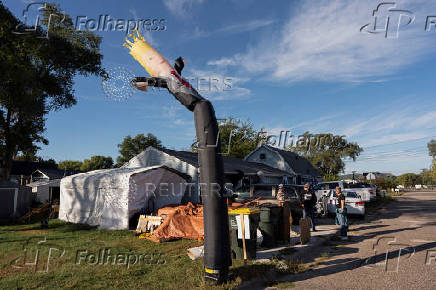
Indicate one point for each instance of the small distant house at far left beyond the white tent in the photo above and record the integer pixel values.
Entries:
(45, 183)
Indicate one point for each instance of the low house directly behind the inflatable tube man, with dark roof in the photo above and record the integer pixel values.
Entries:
(242, 174)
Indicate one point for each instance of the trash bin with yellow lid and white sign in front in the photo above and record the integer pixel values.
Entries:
(250, 243)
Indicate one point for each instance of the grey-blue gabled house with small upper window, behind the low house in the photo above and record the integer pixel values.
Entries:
(298, 167)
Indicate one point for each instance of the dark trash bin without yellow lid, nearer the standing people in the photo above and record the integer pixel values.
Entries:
(269, 224)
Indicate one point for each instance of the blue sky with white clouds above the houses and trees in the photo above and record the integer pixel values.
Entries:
(293, 65)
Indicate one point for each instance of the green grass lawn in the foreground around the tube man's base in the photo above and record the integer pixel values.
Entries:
(77, 259)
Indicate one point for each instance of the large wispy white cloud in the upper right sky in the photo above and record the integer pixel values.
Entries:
(323, 41)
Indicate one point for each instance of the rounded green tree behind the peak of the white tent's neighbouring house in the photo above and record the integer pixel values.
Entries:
(130, 147)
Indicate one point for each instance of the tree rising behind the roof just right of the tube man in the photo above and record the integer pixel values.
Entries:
(237, 137)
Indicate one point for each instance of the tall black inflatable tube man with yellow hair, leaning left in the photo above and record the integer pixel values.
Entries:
(217, 257)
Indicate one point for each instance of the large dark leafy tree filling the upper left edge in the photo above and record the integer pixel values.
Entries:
(37, 76)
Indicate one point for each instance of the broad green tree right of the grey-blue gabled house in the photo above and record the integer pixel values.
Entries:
(326, 152)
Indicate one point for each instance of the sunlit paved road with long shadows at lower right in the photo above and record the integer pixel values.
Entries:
(405, 229)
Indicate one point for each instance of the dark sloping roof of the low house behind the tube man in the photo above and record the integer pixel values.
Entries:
(231, 165)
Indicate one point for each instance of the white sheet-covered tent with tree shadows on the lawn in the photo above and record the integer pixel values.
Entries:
(110, 197)
